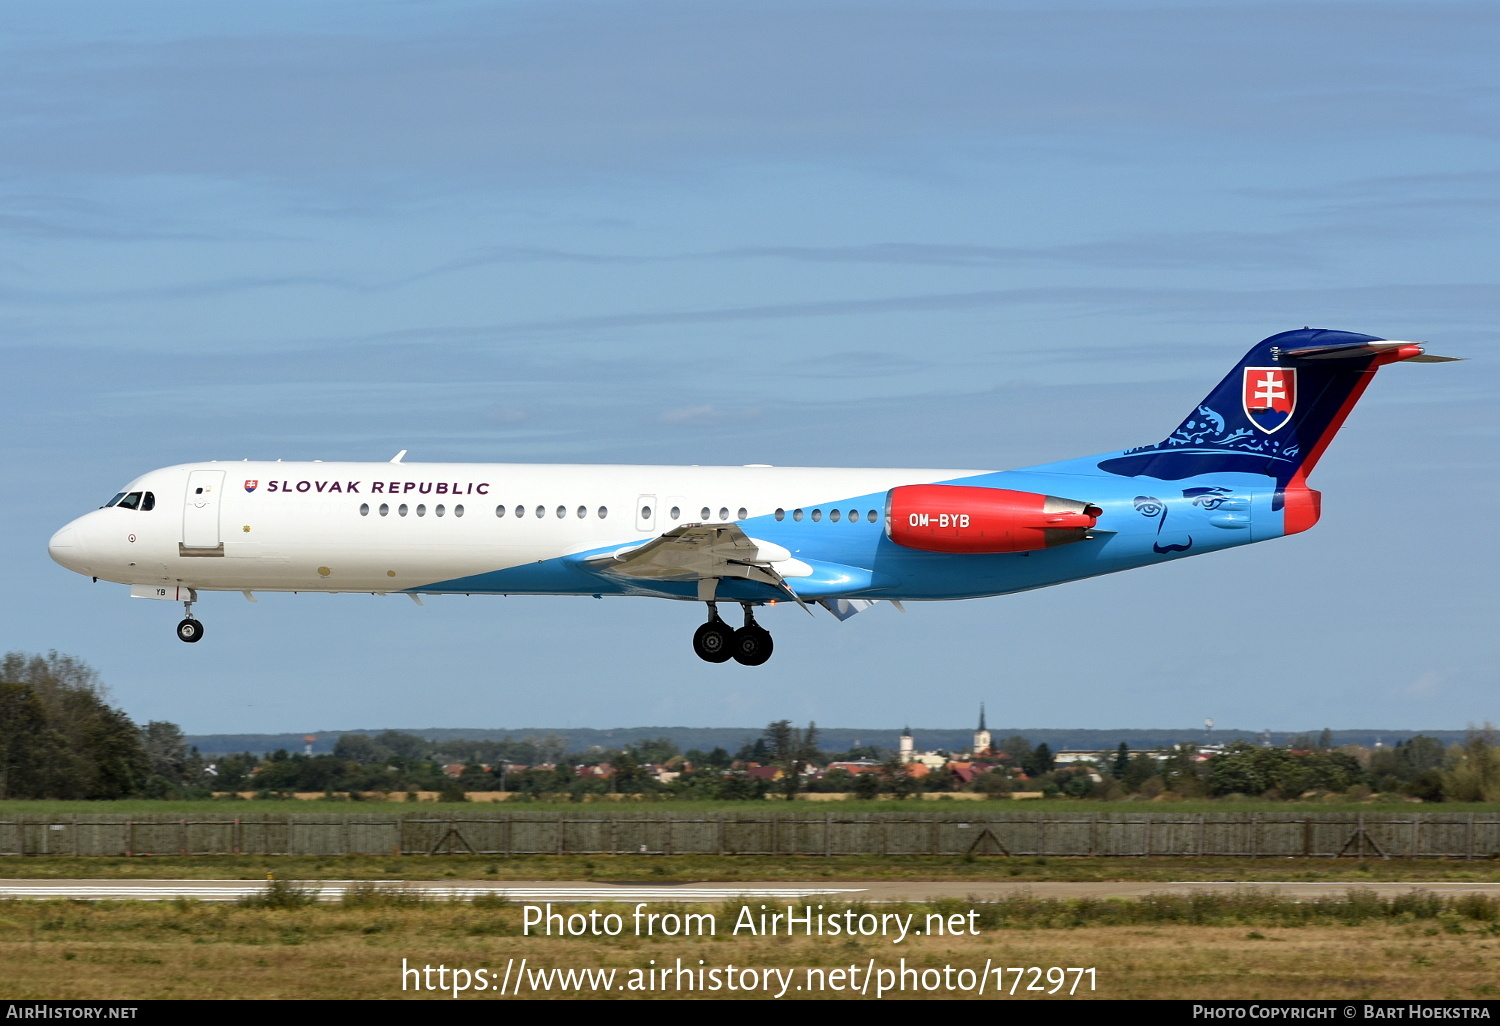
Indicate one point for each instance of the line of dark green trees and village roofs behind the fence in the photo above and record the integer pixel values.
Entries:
(62, 739)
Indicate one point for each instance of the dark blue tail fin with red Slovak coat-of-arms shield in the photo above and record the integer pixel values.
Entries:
(1274, 415)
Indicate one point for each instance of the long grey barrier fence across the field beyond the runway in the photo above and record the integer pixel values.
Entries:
(622, 833)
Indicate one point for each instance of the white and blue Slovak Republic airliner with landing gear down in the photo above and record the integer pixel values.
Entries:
(1235, 472)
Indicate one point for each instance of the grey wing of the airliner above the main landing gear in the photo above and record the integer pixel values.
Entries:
(703, 553)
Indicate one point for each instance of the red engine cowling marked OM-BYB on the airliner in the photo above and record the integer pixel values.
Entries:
(952, 518)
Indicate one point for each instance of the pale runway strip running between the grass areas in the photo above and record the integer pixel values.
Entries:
(587, 892)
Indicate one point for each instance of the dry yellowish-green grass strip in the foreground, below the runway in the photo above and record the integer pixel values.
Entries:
(1193, 947)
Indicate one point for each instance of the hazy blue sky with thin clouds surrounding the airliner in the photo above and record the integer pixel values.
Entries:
(947, 235)
